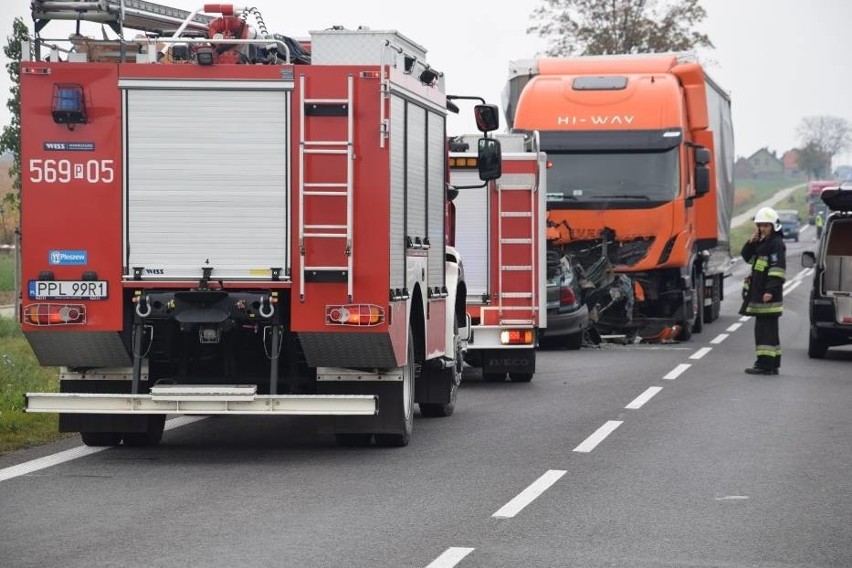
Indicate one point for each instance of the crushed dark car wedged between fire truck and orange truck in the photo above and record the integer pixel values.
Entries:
(567, 314)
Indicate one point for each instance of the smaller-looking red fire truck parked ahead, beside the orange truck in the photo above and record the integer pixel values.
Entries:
(500, 232)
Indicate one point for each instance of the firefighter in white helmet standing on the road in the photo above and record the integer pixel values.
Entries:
(762, 289)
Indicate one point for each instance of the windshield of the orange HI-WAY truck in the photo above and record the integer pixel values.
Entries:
(617, 175)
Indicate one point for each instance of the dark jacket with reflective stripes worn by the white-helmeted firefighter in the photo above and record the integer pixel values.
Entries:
(768, 259)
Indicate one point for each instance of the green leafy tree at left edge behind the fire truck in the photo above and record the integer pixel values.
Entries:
(10, 140)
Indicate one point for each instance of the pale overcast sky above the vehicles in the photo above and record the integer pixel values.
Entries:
(781, 60)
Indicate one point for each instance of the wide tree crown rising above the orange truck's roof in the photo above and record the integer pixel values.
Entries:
(601, 27)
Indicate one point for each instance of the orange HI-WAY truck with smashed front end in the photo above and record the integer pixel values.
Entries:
(640, 182)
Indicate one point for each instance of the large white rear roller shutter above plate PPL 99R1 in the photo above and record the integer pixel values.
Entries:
(207, 181)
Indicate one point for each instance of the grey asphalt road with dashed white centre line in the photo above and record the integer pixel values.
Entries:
(623, 455)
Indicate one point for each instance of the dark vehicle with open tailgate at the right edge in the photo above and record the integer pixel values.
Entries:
(831, 293)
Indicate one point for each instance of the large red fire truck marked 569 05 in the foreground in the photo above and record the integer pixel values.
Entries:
(221, 221)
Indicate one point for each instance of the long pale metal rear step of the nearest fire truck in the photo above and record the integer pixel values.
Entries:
(204, 399)
